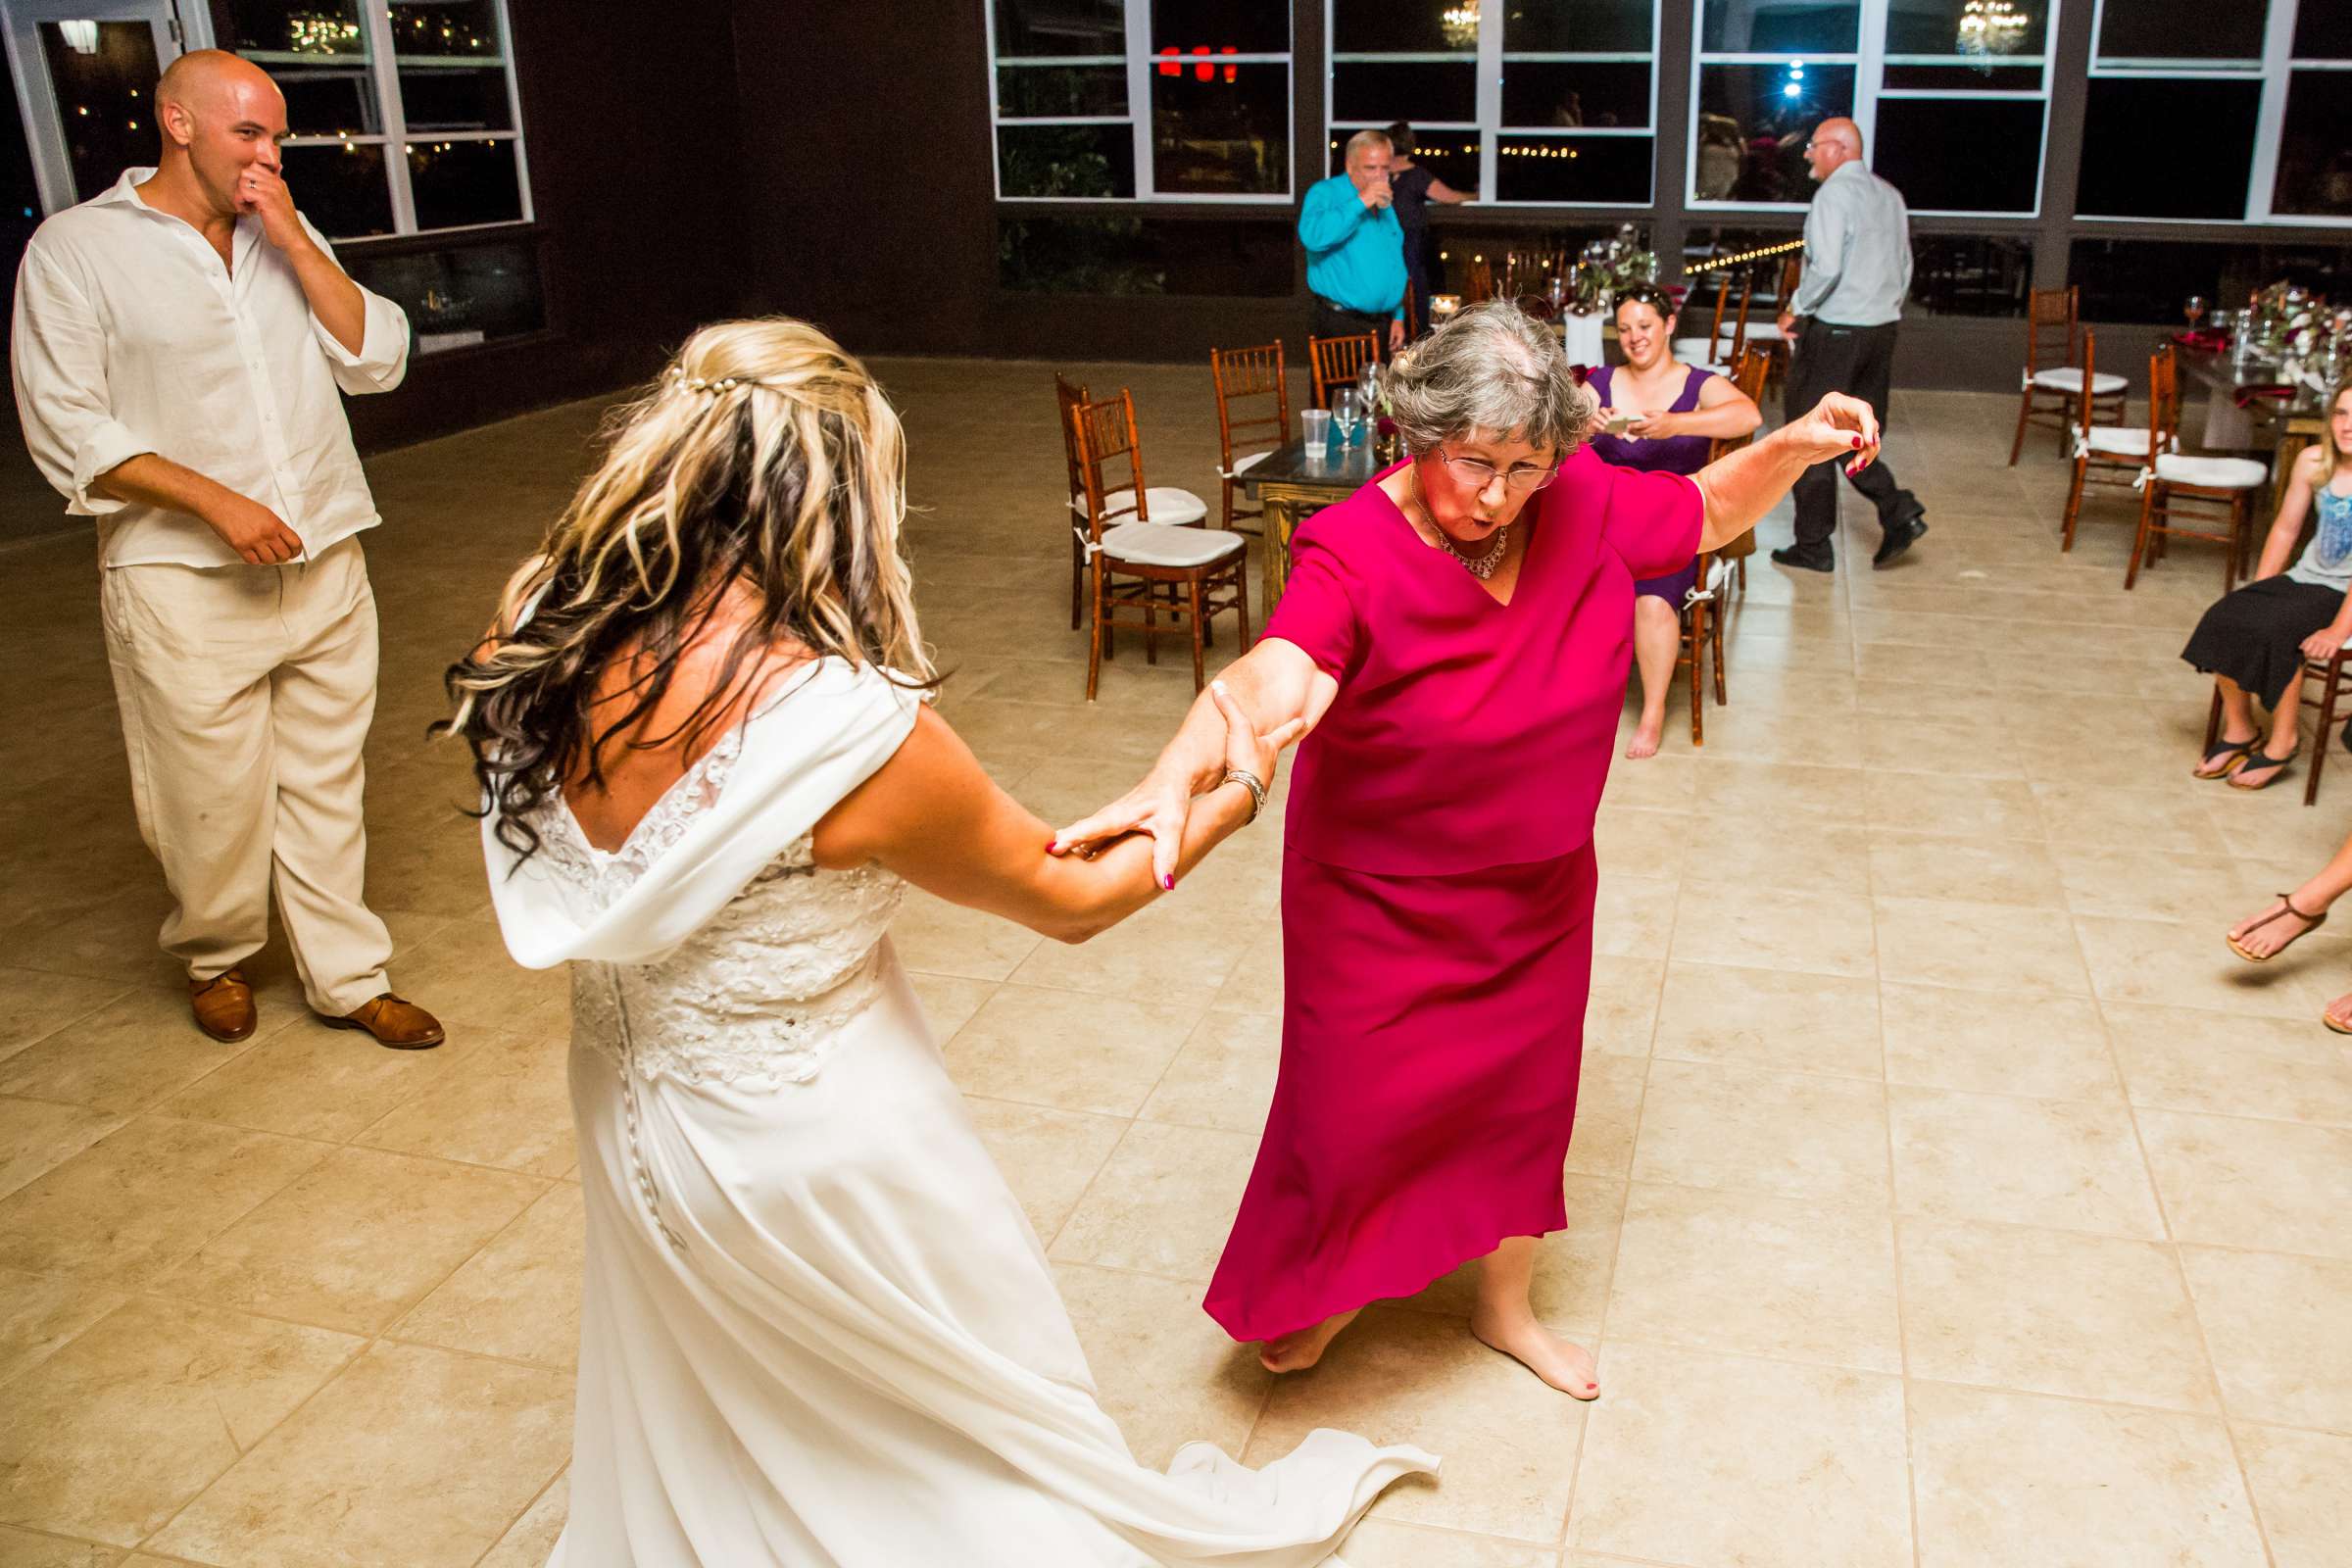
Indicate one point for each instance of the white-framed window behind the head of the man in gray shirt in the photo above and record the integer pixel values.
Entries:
(1953, 98)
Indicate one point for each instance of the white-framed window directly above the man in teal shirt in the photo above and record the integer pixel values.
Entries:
(1539, 102)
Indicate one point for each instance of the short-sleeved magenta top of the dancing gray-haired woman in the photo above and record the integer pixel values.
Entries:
(1469, 732)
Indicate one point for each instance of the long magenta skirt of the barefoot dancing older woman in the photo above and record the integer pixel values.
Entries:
(1431, 1040)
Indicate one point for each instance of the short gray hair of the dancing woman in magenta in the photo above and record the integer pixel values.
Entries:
(1490, 370)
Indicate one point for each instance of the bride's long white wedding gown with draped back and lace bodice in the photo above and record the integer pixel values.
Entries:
(817, 1327)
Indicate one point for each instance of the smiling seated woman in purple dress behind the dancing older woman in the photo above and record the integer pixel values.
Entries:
(1676, 415)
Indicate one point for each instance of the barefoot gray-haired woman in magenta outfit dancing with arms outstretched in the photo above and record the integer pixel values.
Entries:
(1457, 634)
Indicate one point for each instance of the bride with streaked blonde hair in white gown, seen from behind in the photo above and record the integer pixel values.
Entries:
(817, 1327)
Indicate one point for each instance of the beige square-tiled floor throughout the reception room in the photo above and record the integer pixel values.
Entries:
(1944, 1193)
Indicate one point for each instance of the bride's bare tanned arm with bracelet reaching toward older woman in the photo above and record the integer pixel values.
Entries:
(935, 817)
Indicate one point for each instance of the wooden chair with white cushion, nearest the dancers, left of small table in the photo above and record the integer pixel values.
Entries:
(1130, 558)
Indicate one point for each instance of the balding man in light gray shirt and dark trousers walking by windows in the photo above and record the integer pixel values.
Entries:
(1843, 323)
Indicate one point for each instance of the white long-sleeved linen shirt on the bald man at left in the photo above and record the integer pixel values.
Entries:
(133, 337)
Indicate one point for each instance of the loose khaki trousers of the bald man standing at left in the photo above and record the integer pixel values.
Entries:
(246, 697)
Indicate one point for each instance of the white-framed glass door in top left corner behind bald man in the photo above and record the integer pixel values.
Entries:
(86, 81)
